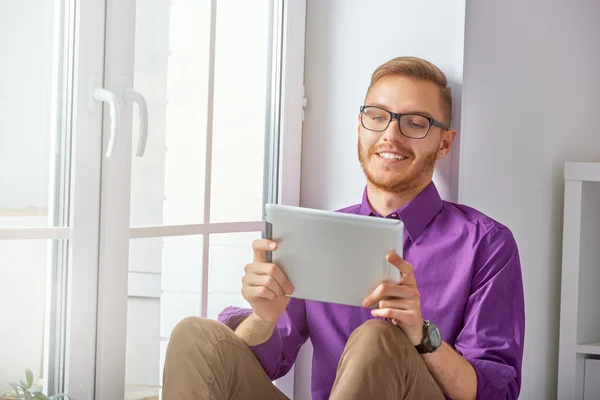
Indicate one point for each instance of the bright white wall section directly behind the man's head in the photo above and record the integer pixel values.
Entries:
(345, 41)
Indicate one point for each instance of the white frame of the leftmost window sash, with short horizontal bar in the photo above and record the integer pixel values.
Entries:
(70, 348)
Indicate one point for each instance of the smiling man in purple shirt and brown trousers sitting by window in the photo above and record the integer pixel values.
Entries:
(461, 279)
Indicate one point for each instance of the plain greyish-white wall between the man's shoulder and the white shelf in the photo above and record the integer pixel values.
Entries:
(531, 99)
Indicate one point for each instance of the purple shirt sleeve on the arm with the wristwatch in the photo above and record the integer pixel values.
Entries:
(494, 322)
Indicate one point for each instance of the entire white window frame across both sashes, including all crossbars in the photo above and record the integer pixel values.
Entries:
(97, 286)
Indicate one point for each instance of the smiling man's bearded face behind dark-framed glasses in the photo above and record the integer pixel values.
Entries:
(414, 169)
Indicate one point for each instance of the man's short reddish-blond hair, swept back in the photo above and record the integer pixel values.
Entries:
(419, 69)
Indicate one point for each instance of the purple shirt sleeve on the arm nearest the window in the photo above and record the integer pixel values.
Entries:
(278, 354)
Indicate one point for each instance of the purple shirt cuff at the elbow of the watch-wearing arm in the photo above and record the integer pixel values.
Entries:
(493, 380)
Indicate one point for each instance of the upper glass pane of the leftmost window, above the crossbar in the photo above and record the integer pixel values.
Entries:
(29, 109)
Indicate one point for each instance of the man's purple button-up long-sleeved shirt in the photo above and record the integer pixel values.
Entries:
(468, 273)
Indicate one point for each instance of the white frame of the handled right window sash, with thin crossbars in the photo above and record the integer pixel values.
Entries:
(115, 282)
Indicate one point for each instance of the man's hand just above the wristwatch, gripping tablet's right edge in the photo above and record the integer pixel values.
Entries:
(399, 303)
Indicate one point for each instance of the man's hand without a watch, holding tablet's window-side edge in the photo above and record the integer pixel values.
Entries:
(264, 285)
